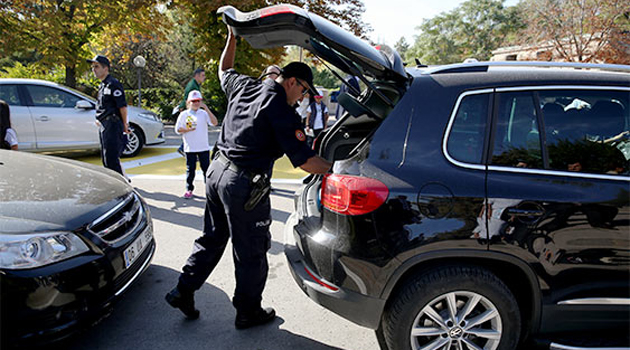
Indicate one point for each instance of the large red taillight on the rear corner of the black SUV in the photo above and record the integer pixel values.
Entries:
(352, 195)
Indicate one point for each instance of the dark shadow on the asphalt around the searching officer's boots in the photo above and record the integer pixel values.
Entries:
(143, 320)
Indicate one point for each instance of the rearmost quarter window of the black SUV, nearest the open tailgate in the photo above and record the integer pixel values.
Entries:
(466, 139)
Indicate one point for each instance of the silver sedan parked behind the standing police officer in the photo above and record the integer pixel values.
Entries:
(51, 117)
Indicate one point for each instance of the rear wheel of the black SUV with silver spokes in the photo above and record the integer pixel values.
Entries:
(431, 293)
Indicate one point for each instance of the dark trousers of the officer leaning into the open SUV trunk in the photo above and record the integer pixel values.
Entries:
(227, 191)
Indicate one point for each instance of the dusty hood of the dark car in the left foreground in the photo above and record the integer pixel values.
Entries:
(42, 193)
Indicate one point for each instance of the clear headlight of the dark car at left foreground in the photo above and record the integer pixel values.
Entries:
(28, 251)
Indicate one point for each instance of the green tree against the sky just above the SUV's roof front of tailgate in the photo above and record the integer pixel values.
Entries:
(473, 29)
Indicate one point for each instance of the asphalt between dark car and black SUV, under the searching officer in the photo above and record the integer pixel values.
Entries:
(143, 320)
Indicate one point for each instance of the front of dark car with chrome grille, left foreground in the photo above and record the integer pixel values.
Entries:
(73, 239)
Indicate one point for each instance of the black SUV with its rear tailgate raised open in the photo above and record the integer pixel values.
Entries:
(470, 206)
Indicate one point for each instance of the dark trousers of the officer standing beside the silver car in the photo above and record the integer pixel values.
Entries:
(112, 142)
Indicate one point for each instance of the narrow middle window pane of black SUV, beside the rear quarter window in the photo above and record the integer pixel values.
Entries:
(517, 136)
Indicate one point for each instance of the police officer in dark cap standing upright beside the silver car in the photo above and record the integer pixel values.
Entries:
(111, 114)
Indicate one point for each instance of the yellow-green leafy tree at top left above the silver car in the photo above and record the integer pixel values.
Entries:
(61, 30)
